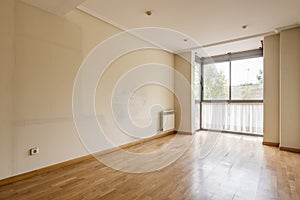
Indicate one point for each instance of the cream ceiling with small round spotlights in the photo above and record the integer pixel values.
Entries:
(215, 25)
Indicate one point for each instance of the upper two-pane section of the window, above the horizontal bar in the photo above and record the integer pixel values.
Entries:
(233, 79)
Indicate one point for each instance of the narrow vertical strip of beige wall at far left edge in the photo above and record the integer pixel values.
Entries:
(7, 66)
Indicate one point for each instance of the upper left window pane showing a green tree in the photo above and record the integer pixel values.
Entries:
(216, 81)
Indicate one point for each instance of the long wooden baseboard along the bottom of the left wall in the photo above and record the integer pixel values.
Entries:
(76, 160)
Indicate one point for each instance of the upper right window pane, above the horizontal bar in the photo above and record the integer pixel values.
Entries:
(247, 79)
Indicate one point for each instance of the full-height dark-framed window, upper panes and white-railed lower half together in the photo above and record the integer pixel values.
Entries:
(232, 92)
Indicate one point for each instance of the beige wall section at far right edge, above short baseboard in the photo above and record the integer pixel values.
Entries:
(290, 88)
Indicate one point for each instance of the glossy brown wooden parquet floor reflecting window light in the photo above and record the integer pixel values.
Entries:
(238, 167)
